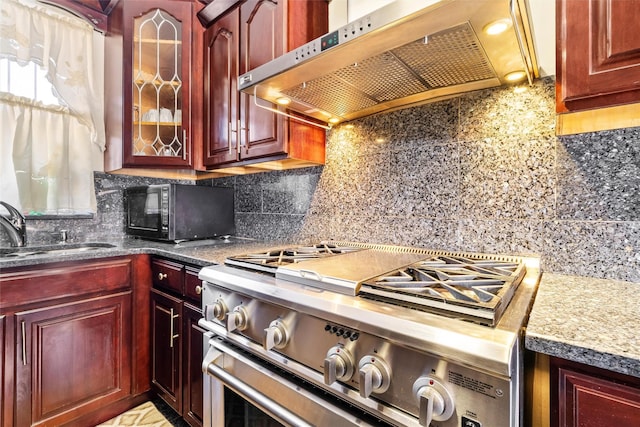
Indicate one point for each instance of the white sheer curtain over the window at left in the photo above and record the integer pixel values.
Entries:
(49, 153)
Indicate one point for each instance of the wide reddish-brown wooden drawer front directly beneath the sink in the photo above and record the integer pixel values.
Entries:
(55, 281)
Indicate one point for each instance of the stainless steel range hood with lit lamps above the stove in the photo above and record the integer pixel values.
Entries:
(407, 52)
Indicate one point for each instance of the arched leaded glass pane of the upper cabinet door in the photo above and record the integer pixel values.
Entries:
(157, 86)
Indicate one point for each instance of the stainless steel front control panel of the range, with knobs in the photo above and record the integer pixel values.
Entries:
(372, 368)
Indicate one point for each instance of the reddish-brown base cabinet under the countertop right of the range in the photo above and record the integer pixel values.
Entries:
(585, 396)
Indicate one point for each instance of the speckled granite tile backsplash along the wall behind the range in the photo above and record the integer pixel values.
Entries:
(482, 173)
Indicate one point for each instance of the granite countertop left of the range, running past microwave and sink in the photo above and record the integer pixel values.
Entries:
(200, 253)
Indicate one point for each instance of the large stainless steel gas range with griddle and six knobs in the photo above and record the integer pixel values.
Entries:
(342, 333)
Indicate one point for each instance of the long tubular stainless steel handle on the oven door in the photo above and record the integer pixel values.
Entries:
(209, 366)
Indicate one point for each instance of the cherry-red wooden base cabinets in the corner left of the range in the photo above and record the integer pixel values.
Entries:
(81, 343)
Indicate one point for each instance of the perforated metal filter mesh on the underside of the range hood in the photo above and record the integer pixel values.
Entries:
(448, 58)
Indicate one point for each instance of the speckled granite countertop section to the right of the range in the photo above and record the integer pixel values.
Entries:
(587, 320)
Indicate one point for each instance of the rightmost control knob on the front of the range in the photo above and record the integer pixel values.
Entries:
(434, 400)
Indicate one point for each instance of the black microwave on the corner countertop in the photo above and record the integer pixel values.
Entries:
(175, 212)
